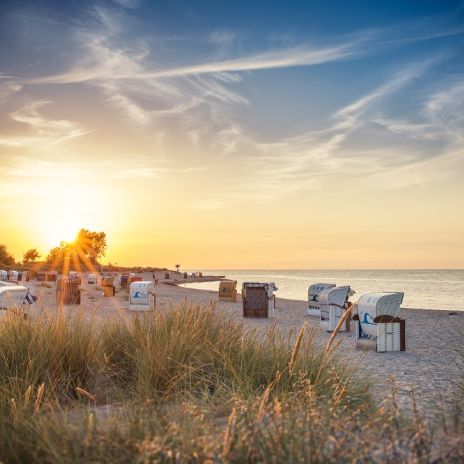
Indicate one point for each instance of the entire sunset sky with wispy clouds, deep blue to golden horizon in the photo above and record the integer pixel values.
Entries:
(235, 135)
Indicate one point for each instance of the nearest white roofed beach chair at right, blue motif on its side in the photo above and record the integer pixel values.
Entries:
(377, 321)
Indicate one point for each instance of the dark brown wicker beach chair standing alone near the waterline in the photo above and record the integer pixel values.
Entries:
(258, 299)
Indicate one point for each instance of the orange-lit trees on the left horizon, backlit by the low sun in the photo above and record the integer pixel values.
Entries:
(84, 252)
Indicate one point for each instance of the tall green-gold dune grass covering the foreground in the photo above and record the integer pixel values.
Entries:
(190, 386)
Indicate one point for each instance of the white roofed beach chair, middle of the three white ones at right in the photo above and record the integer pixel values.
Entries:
(333, 303)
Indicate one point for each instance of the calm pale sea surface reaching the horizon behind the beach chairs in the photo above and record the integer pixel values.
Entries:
(424, 289)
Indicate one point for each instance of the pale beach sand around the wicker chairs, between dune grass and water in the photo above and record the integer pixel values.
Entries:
(431, 365)
